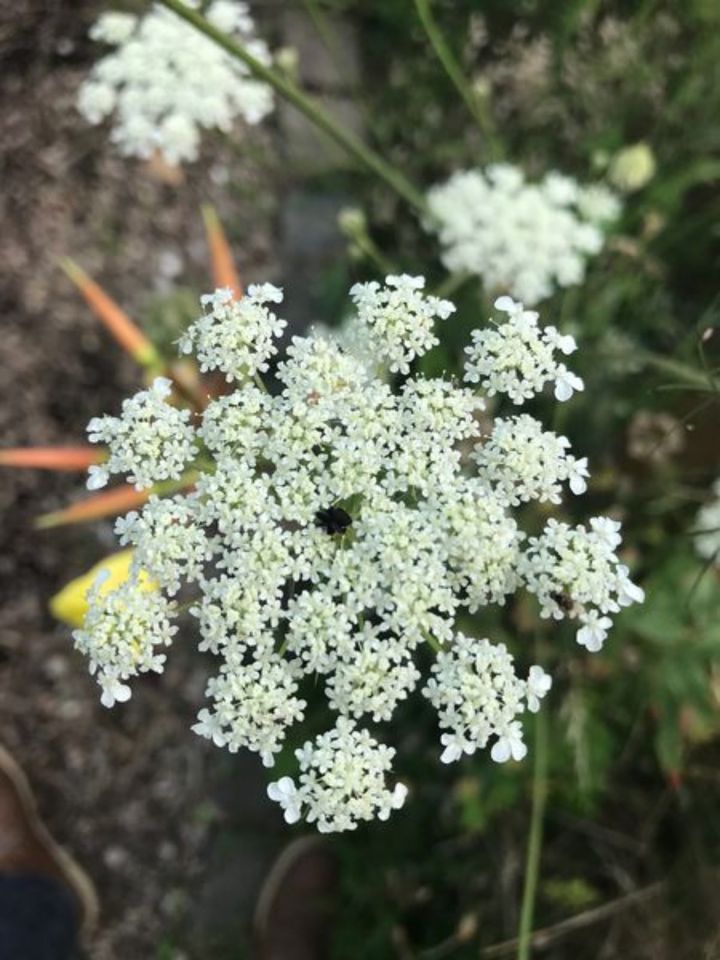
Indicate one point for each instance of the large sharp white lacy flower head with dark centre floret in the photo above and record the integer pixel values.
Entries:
(337, 525)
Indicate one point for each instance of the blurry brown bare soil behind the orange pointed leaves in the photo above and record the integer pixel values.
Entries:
(122, 789)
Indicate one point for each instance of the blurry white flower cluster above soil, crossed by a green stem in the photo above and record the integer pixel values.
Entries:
(166, 82)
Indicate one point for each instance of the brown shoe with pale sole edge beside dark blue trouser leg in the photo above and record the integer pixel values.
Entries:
(27, 849)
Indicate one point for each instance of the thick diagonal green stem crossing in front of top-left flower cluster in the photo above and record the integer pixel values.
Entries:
(352, 144)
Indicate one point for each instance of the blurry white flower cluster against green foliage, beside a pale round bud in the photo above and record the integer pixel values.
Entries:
(521, 238)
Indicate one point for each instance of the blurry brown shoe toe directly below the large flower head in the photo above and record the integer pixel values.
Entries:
(295, 908)
